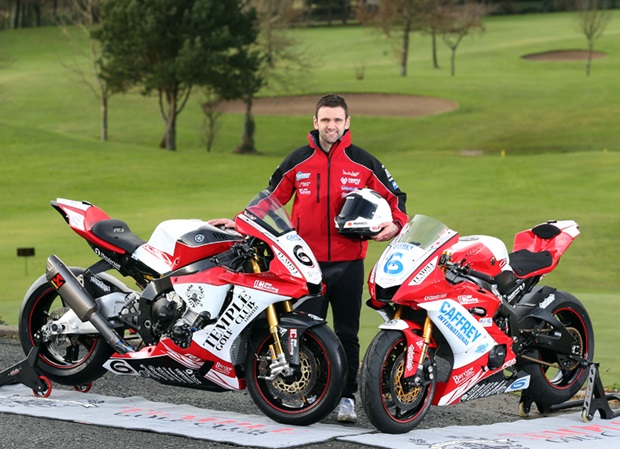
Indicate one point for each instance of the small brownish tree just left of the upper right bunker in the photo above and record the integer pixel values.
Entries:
(459, 21)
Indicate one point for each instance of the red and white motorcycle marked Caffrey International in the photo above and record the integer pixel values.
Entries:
(463, 319)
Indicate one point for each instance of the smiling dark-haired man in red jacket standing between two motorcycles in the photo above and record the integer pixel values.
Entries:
(319, 175)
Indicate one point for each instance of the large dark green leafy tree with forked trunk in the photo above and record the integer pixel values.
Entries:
(169, 46)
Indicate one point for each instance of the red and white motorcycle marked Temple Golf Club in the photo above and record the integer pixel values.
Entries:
(214, 311)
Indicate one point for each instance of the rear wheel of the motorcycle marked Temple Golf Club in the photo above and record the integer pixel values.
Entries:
(66, 359)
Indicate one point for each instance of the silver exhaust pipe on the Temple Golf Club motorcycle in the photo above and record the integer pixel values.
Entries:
(82, 303)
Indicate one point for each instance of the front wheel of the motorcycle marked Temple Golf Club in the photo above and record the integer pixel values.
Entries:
(314, 389)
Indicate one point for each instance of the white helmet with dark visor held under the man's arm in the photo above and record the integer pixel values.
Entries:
(362, 213)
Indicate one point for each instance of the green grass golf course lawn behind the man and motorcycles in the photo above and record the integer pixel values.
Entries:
(558, 129)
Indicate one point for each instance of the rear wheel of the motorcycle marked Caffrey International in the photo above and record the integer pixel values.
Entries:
(548, 385)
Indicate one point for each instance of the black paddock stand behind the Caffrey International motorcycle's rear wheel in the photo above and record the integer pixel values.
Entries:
(595, 400)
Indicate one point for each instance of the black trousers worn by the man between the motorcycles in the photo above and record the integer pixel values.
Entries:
(345, 284)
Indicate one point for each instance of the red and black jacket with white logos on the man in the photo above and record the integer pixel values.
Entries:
(320, 181)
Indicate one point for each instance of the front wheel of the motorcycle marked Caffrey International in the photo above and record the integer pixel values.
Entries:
(392, 403)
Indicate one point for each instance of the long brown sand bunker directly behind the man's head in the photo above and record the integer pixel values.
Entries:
(359, 104)
